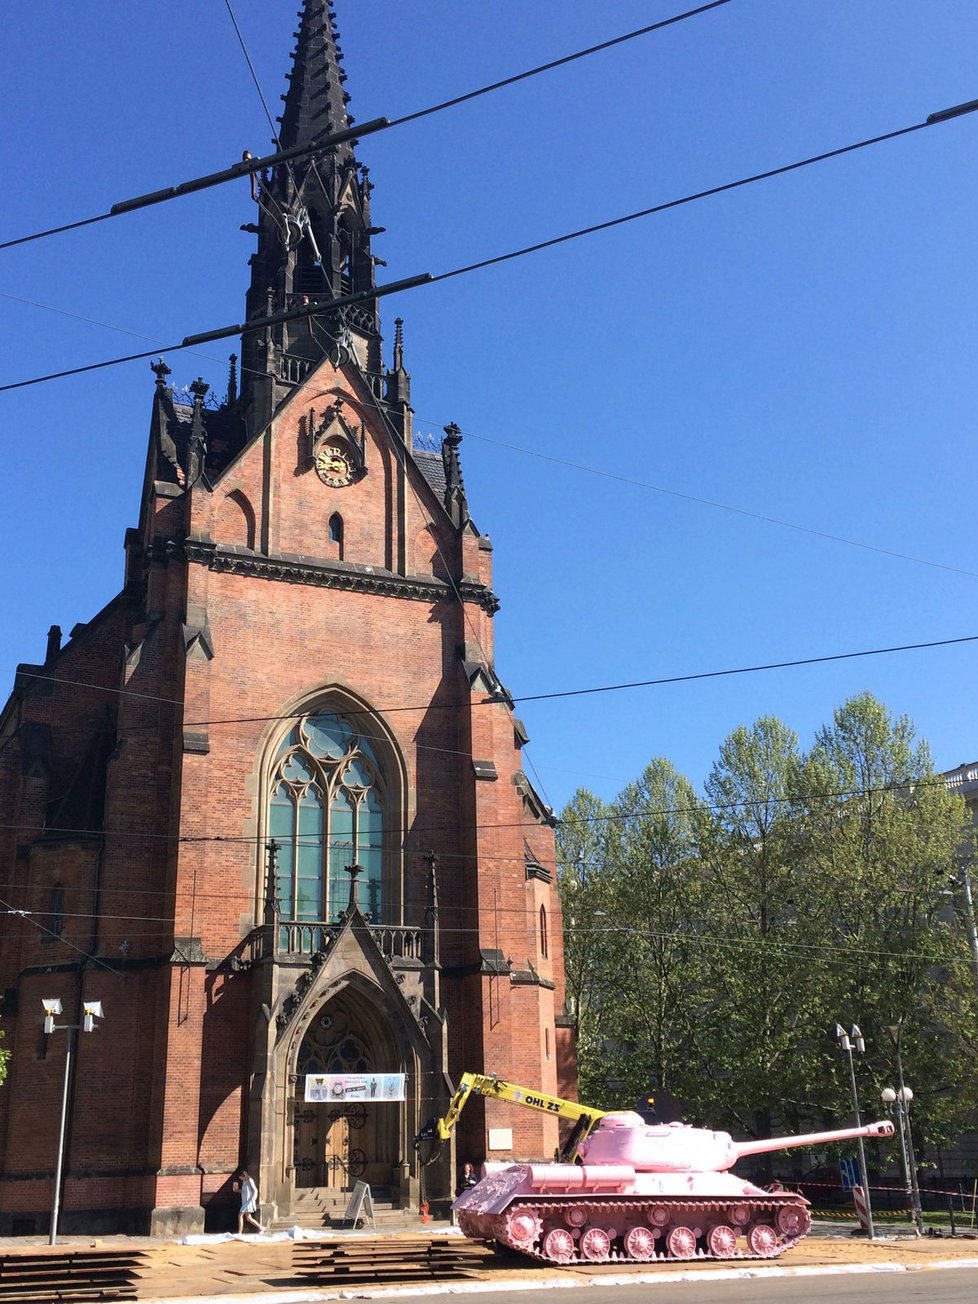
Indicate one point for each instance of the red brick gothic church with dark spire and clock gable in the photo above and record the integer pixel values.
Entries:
(268, 805)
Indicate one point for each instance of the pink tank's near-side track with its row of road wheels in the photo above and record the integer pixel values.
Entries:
(645, 1230)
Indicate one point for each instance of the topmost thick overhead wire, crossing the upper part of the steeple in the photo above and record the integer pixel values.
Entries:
(250, 166)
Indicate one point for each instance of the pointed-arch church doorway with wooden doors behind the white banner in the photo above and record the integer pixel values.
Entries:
(340, 1143)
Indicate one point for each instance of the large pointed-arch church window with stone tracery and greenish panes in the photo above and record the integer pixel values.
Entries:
(325, 814)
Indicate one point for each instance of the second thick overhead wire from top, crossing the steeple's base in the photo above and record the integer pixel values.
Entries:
(430, 278)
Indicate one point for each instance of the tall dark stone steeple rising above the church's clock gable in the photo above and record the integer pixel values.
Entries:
(314, 235)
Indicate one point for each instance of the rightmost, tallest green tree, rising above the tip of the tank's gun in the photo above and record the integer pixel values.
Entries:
(885, 838)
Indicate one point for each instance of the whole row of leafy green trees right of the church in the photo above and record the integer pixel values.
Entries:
(714, 943)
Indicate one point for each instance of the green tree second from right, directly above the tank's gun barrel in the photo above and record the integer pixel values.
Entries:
(763, 1013)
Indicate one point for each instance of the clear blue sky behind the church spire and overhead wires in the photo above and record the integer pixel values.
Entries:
(800, 350)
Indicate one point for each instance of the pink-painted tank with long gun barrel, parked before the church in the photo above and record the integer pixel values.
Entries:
(645, 1191)
